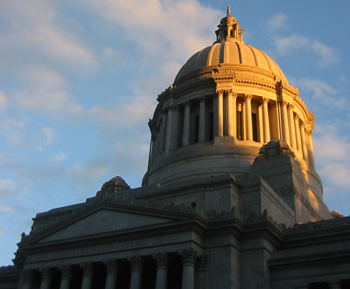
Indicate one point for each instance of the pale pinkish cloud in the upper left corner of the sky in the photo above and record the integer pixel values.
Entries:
(37, 35)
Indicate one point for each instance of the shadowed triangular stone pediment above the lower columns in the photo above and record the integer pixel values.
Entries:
(104, 221)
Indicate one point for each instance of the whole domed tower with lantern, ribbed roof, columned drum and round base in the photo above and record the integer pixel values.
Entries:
(226, 102)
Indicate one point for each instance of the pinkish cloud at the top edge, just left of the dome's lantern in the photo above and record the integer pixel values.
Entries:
(170, 27)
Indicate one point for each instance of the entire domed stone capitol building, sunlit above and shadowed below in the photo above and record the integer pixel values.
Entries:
(230, 200)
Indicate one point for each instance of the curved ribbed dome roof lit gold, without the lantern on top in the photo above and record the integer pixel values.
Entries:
(232, 53)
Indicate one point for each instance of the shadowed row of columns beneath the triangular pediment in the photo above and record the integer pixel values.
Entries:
(193, 268)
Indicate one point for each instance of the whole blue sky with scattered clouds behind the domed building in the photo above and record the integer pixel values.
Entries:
(79, 80)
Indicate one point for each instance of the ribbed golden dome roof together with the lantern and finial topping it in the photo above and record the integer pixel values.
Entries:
(229, 49)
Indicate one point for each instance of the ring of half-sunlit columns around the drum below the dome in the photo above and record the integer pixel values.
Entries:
(243, 117)
